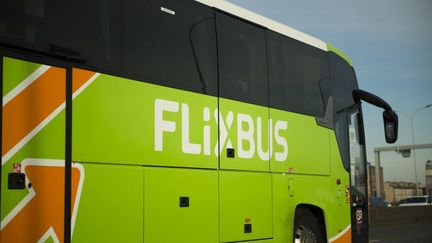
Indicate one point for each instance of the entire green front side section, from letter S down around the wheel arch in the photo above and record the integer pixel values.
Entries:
(324, 192)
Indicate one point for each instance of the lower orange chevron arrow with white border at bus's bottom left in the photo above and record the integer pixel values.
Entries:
(47, 206)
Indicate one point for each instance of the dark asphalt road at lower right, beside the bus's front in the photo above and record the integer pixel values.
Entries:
(409, 233)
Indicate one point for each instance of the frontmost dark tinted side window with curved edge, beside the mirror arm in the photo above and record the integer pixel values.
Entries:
(343, 82)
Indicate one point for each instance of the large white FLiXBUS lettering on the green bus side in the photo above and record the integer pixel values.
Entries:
(250, 137)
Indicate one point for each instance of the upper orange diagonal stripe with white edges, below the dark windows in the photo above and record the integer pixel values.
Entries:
(30, 107)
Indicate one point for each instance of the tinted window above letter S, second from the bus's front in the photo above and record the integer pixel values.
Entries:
(298, 75)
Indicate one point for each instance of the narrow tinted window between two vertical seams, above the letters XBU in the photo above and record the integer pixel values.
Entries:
(242, 61)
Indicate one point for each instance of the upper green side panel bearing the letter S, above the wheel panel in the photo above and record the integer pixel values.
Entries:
(307, 145)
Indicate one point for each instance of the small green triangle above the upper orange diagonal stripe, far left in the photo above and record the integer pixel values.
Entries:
(15, 72)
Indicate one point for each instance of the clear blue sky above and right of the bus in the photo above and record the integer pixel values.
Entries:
(390, 44)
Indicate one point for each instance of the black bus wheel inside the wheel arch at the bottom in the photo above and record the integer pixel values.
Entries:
(306, 227)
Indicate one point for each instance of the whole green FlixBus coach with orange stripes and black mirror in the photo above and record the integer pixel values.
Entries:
(177, 121)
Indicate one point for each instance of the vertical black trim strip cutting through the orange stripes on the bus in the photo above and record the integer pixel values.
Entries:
(68, 158)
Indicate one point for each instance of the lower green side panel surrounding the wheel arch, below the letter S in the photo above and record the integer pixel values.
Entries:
(312, 192)
